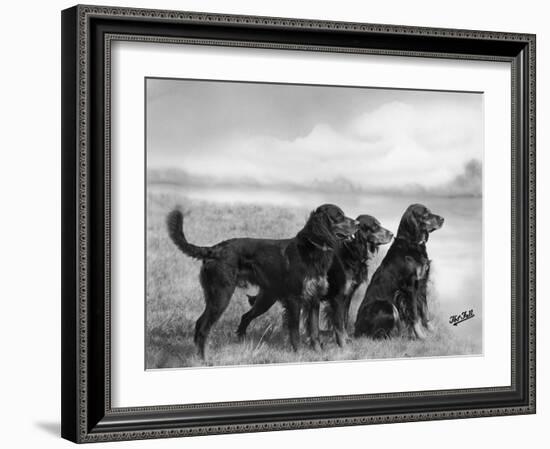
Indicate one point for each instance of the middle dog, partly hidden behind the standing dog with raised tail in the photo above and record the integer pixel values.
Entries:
(348, 271)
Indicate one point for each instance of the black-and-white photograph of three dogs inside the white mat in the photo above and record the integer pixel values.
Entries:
(291, 223)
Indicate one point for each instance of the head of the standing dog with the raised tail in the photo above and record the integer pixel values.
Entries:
(327, 226)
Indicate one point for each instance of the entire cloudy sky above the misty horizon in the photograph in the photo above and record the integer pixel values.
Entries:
(299, 135)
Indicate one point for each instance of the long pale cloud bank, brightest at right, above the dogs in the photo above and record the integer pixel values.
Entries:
(389, 146)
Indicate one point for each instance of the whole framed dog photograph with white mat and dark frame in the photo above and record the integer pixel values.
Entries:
(283, 223)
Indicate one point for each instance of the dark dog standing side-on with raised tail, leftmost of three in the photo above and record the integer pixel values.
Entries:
(293, 271)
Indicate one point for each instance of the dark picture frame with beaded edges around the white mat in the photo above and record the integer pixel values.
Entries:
(87, 32)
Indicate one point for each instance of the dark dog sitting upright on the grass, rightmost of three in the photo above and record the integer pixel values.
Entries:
(397, 293)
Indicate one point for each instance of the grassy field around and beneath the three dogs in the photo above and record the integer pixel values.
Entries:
(174, 297)
